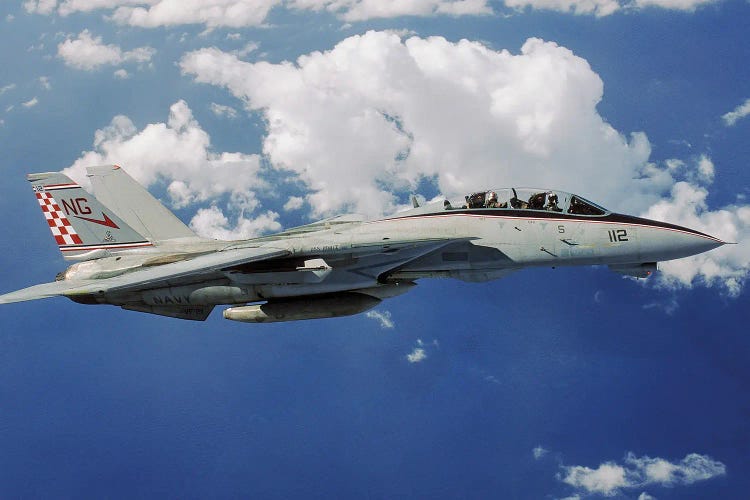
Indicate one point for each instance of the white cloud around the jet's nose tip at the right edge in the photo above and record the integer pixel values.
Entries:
(686, 205)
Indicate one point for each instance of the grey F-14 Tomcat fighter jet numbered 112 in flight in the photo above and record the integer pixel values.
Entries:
(134, 253)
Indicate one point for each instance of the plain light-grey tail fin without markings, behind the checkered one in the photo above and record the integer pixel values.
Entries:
(117, 190)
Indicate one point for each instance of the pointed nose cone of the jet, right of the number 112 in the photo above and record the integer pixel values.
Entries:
(664, 241)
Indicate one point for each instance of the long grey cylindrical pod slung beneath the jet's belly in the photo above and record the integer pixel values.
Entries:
(326, 306)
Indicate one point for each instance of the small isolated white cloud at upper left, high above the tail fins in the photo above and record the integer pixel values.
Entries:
(87, 52)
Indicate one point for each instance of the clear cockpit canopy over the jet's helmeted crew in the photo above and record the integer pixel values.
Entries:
(529, 199)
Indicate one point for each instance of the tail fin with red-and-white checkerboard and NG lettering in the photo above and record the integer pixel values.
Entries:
(82, 227)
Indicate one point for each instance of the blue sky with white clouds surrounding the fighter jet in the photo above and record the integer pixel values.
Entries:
(260, 115)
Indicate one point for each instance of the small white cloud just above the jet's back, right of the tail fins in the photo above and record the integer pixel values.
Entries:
(212, 223)
